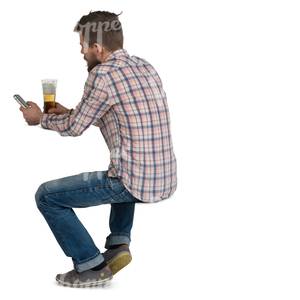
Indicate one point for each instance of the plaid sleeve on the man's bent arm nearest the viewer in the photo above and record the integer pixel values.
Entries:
(93, 105)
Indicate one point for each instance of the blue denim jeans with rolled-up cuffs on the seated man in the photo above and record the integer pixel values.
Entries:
(55, 200)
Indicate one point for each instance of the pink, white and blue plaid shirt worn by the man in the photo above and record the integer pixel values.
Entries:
(124, 97)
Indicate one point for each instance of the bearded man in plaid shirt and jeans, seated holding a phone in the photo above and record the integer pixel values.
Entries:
(124, 97)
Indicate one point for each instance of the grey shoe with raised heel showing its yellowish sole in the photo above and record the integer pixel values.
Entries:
(117, 258)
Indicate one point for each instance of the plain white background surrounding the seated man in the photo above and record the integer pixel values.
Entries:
(231, 73)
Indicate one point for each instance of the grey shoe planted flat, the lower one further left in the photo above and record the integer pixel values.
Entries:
(85, 279)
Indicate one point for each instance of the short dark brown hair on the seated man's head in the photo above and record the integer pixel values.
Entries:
(103, 28)
